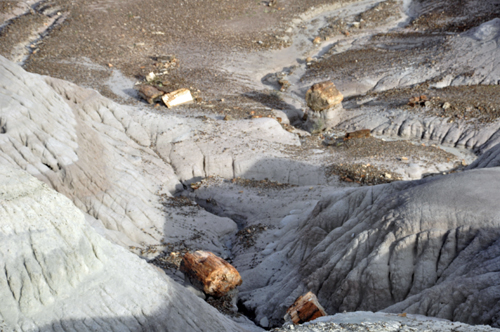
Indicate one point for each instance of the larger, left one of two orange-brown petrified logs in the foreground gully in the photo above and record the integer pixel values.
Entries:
(210, 273)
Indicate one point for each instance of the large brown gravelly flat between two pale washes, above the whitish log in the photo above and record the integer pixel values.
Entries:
(126, 34)
